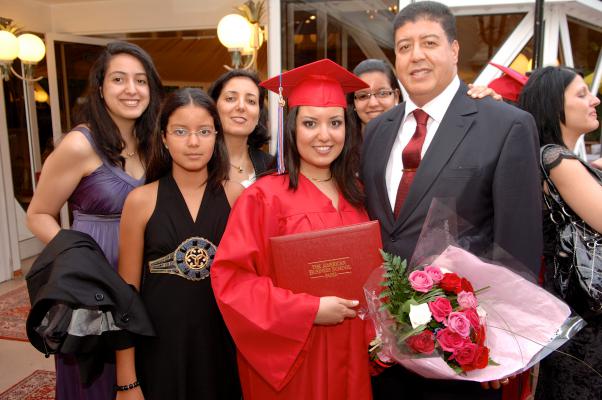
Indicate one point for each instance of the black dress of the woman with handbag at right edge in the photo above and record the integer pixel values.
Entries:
(561, 377)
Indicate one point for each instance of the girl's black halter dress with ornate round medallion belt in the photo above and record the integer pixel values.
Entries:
(193, 355)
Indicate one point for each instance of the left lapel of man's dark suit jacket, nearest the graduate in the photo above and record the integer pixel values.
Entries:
(385, 138)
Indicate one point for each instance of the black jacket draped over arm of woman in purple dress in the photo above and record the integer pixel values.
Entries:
(73, 273)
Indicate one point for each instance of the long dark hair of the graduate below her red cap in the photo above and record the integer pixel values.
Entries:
(344, 168)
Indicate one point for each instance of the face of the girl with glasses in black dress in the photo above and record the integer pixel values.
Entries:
(190, 152)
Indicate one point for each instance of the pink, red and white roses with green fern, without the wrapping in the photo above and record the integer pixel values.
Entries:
(436, 309)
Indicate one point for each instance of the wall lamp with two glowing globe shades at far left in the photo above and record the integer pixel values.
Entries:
(28, 48)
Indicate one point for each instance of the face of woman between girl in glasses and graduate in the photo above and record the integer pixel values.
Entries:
(238, 106)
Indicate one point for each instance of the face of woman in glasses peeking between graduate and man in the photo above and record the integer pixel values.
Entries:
(368, 109)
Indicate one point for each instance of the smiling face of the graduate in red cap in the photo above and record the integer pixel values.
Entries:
(320, 136)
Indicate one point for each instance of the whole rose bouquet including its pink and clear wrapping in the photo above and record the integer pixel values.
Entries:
(429, 318)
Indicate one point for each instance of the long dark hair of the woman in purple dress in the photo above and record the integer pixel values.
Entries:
(93, 111)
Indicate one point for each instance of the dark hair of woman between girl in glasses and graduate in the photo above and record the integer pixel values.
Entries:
(260, 134)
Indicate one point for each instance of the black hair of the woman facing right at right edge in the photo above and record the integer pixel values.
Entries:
(543, 98)
